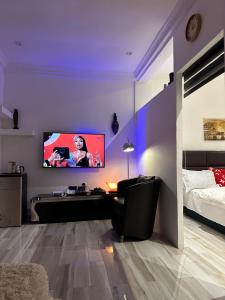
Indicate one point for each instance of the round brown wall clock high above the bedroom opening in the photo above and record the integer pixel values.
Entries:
(193, 27)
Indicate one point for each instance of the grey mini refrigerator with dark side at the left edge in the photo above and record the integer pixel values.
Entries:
(13, 199)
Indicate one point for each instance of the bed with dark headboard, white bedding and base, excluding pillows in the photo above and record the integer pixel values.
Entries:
(205, 205)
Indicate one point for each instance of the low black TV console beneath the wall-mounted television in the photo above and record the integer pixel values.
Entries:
(49, 209)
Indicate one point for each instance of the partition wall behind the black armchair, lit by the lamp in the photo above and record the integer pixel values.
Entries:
(156, 155)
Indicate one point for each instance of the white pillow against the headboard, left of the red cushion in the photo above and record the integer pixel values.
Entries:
(198, 179)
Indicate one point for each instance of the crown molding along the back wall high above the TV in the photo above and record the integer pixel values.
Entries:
(55, 71)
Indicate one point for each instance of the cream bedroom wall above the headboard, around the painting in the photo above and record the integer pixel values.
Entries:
(207, 102)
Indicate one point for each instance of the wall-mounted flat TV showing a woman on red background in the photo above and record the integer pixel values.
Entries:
(73, 150)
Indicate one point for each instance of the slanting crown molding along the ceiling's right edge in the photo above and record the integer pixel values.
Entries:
(163, 36)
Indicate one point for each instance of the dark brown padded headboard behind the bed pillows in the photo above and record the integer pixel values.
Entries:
(202, 160)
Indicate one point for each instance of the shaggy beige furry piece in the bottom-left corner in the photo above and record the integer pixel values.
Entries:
(24, 282)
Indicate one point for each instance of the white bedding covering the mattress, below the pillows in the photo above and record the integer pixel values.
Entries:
(209, 203)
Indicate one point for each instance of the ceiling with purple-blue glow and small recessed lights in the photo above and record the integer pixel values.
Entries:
(86, 35)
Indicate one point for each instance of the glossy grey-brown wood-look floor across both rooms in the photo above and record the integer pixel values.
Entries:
(84, 261)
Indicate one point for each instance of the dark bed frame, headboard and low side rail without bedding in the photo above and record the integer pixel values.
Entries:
(202, 160)
